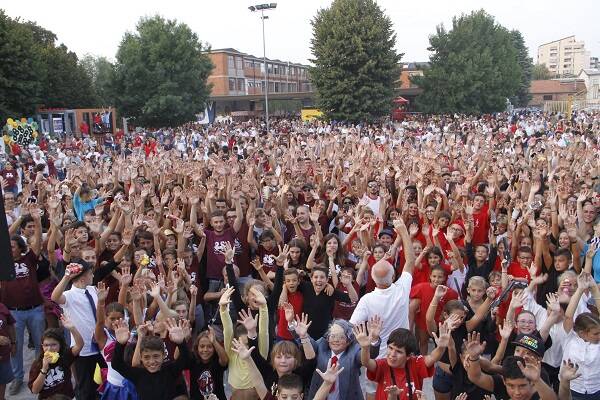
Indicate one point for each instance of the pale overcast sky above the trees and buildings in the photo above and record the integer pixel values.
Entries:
(97, 27)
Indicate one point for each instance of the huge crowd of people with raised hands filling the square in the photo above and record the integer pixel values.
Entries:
(316, 261)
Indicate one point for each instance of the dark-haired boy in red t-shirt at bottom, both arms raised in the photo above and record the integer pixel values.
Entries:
(400, 367)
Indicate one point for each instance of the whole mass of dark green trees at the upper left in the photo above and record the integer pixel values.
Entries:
(35, 72)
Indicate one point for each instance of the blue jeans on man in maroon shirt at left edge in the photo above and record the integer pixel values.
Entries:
(35, 321)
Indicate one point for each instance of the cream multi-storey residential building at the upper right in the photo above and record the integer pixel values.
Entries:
(564, 57)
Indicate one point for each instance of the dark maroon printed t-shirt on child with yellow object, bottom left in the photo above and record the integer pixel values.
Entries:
(58, 378)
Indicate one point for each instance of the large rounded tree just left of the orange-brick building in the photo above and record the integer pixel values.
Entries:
(161, 73)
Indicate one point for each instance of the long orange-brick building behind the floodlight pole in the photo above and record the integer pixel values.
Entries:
(241, 74)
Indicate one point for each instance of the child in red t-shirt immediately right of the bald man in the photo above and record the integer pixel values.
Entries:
(420, 297)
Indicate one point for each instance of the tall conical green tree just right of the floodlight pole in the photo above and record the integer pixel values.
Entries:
(355, 63)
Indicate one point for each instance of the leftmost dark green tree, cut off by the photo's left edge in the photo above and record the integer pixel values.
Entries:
(19, 70)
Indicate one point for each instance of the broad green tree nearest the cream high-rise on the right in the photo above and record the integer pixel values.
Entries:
(474, 67)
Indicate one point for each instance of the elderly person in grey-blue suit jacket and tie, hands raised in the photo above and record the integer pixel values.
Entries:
(339, 346)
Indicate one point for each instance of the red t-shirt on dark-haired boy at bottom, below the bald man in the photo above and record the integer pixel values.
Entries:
(383, 376)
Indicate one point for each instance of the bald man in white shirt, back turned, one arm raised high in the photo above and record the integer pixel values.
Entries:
(390, 299)
